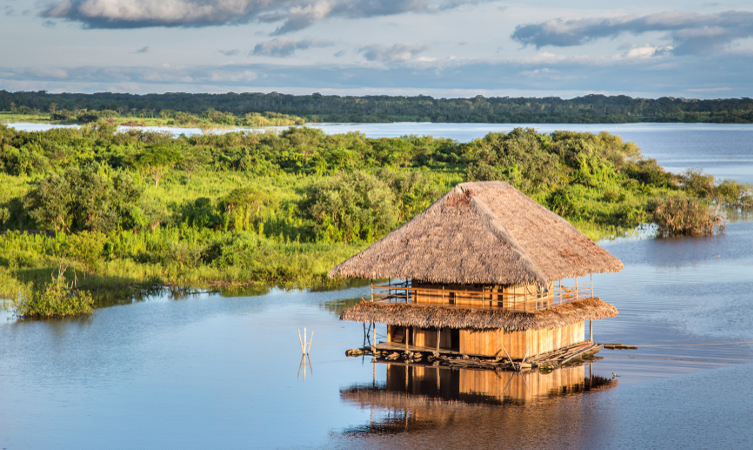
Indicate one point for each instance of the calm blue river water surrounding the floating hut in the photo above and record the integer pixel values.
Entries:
(214, 371)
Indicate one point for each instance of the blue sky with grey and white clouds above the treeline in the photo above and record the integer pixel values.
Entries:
(441, 48)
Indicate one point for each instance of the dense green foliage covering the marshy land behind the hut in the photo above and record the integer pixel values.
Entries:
(137, 209)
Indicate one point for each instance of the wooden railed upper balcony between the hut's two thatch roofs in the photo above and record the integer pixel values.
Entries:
(532, 299)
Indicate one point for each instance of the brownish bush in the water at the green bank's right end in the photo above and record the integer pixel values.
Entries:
(684, 216)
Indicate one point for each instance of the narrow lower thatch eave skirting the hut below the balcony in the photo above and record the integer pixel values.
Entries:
(427, 315)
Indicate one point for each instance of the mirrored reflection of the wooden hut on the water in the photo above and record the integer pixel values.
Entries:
(420, 396)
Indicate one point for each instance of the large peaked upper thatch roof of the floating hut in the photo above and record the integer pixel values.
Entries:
(482, 233)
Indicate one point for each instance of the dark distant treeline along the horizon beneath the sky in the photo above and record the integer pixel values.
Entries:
(333, 108)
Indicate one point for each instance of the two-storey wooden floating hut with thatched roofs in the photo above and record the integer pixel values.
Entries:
(482, 272)
